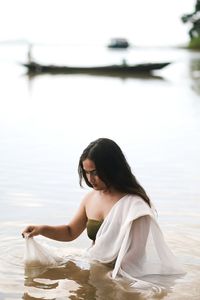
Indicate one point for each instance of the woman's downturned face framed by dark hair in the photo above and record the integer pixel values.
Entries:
(92, 176)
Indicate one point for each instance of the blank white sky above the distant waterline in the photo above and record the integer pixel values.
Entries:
(142, 22)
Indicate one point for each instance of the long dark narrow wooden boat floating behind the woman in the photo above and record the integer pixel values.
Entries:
(119, 69)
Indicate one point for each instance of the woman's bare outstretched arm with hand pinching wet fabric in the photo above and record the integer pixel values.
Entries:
(62, 233)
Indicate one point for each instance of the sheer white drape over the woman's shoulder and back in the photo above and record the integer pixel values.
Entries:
(131, 238)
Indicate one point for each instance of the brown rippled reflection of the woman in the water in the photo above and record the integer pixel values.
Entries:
(80, 280)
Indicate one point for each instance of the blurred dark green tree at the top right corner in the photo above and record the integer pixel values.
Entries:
(194, 19)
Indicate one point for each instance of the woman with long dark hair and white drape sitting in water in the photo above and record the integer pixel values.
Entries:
(119, 218)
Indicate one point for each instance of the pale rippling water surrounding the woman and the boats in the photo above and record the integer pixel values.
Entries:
(46, 121)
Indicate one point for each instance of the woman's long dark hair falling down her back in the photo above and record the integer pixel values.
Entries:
(112, 168)
